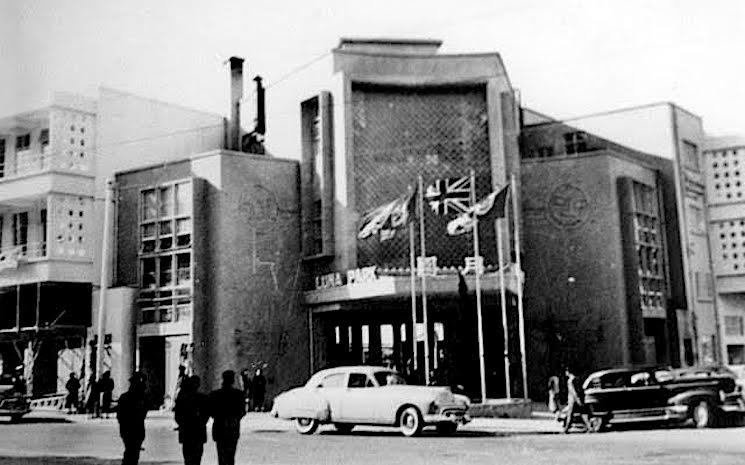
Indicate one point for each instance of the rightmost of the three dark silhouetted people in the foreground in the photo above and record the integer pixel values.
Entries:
(226, 408)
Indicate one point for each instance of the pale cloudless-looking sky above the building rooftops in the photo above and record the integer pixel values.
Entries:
(568, 58)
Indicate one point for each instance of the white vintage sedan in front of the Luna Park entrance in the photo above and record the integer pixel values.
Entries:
(370, 395)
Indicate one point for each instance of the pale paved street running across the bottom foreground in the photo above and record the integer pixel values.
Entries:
(53, 439)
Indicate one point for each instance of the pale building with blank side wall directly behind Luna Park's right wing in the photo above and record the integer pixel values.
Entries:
(671, 132)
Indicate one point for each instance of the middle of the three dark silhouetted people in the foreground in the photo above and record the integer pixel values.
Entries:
(191, 413)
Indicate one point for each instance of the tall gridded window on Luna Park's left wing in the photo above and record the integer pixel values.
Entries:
(165, 252)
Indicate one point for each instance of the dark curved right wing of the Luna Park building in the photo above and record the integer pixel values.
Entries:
(600, 248)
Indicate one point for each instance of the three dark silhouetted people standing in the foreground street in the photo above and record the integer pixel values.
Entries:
(226, 406)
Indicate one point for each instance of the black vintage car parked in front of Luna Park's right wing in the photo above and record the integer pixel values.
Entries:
(704, 395)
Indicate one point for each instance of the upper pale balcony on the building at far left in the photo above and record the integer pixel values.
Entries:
(32, 174)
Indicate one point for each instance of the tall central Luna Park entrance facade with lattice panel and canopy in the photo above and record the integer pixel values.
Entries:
(391, 111)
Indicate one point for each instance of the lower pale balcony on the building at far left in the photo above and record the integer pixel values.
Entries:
(32, 262)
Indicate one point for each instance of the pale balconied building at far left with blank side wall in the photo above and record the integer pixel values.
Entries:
(53, 165)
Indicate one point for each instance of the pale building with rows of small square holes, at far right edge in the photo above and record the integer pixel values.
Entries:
(724, 164)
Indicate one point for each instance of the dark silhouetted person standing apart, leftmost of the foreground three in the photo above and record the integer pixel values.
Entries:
(130, 413)
